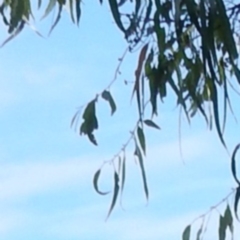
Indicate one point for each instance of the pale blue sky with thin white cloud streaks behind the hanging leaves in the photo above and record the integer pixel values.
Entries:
(46, 169)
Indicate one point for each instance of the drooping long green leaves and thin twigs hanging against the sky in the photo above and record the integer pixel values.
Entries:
(187, 46)
